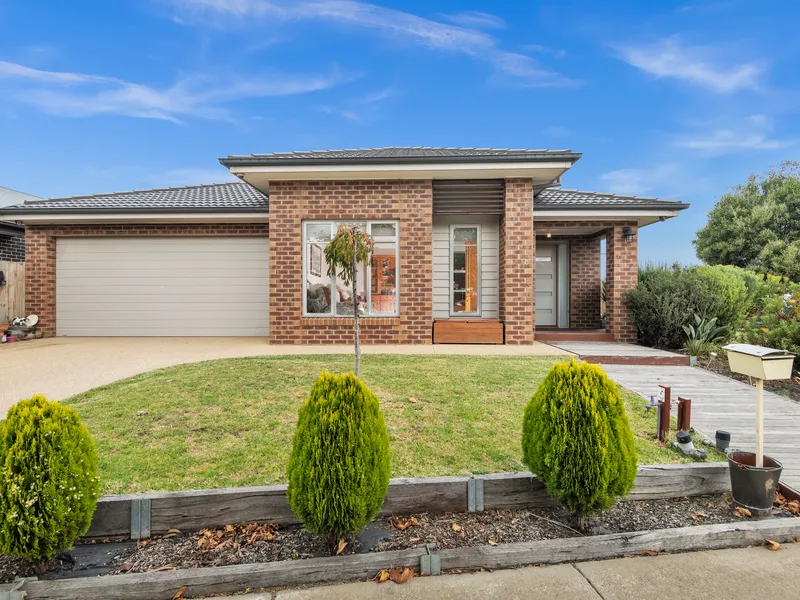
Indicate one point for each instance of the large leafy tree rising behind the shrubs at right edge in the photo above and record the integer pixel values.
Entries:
(757, 225)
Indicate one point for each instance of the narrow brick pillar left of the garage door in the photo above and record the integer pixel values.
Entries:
(40, 278)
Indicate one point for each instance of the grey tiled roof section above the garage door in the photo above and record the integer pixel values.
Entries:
(233, 196)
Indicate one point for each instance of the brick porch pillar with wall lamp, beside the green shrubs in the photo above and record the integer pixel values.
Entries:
(622, 270)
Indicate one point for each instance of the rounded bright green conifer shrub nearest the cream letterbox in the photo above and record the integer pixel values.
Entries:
(577, 439)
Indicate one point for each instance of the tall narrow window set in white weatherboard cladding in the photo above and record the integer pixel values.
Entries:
(464, 267)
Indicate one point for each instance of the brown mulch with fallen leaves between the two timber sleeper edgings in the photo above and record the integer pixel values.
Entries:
(258, 543)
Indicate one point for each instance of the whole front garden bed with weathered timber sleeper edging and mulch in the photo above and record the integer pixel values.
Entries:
(504, 521)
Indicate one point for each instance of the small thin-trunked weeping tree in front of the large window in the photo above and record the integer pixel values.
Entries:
(351, 245)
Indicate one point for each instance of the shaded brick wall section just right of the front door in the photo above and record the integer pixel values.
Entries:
(584, 283)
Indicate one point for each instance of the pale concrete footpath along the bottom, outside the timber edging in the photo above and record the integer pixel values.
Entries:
(736, 574)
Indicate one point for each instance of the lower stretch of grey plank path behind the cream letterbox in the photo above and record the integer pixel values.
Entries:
(719, 402)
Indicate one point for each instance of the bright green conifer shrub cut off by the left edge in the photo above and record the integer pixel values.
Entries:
(48, 482)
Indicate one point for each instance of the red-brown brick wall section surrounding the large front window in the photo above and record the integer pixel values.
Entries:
(293, 202)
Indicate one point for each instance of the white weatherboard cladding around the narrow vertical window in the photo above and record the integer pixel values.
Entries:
(489, 269)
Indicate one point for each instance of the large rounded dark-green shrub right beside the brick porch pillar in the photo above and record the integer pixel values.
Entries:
(668, 298)
